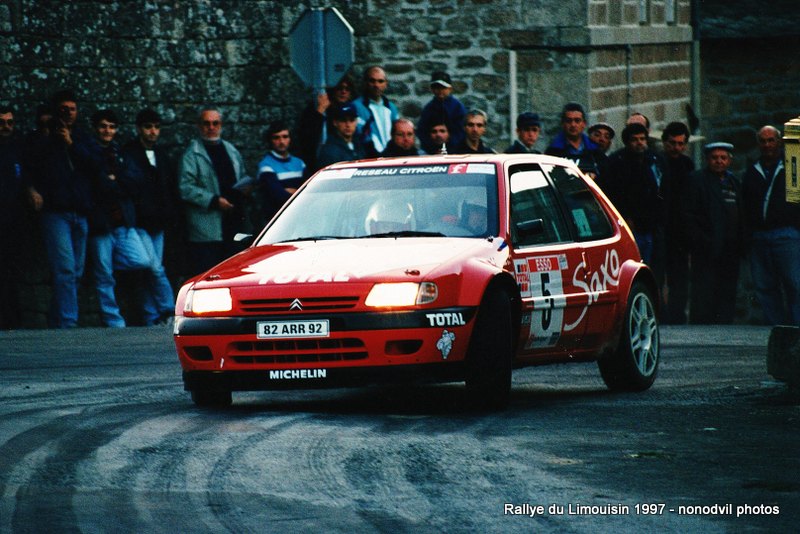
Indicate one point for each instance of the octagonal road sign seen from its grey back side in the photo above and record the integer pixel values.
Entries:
(321, 47)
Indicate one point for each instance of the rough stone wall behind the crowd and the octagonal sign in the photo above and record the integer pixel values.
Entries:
(177, 55)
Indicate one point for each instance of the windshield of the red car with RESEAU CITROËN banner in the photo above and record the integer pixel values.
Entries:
(452, 200)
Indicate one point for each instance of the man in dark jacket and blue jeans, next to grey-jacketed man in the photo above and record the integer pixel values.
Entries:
(150, 178)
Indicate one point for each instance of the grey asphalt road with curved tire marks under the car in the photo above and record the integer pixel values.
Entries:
(97, 435)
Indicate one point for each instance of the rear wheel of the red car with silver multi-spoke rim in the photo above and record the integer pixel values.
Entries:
(633, 365)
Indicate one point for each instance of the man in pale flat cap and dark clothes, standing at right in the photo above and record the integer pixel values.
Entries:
(714, 224)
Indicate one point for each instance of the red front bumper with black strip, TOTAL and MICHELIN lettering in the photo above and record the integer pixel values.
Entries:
(361, 348)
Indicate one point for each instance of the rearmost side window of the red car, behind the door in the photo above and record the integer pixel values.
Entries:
(588, 216)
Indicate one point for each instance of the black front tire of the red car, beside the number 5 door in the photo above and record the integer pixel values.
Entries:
(490, 353)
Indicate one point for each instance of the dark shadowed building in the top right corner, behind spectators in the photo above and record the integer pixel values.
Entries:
(747, 78)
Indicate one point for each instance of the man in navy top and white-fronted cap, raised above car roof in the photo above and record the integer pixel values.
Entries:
(443, 108)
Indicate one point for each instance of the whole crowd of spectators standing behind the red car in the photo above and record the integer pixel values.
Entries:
(112, 202)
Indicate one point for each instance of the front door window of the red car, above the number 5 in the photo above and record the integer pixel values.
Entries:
(535, 216)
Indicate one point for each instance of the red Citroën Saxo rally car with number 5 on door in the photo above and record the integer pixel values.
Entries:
(441, 268)
